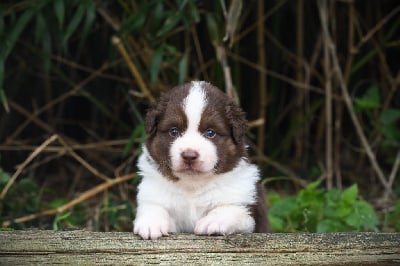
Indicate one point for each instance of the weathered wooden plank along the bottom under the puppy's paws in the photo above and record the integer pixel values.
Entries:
(94, 248)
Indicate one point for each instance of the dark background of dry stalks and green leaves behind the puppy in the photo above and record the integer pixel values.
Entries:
(319, 81)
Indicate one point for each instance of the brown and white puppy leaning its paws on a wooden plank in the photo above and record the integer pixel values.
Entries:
(196, 177)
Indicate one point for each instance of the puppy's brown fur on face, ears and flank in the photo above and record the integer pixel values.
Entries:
(222, 115)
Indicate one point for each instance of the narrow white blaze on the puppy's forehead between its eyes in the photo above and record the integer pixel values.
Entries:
(194, 105)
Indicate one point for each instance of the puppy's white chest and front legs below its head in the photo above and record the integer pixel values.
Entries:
(181, 206)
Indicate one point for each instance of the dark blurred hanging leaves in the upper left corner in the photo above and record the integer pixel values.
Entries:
(51, 31)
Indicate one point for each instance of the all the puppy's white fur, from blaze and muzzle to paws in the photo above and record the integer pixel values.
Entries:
(204, 202)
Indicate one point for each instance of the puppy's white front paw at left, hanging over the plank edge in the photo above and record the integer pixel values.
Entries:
(152, 225)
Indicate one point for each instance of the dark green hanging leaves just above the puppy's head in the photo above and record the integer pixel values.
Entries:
(158, 23)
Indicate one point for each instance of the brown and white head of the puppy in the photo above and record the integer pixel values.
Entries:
(195, 130)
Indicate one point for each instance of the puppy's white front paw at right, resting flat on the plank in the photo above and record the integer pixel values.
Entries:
(224, 221)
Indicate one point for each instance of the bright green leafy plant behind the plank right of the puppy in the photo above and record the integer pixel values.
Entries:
(317, 210)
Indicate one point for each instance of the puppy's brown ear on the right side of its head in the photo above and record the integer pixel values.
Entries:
(237, 121)
